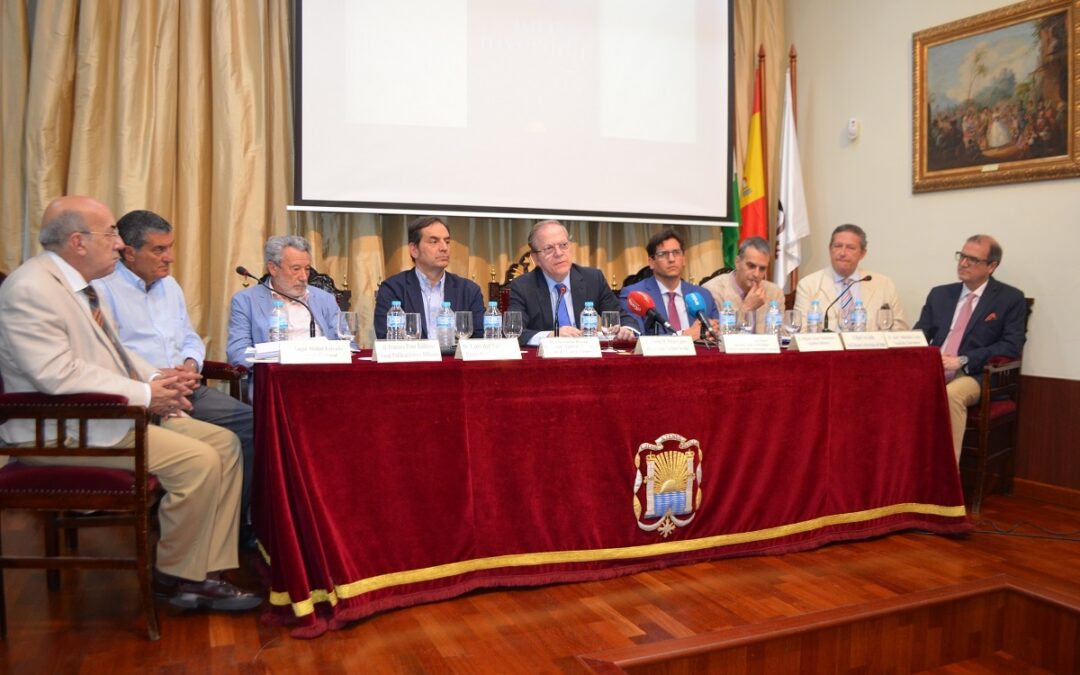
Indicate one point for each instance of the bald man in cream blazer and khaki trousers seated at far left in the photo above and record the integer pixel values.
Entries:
(57, 339)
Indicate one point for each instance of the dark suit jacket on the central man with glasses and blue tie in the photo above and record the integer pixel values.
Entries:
(530, 295)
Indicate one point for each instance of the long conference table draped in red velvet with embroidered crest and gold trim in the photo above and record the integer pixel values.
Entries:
(380, 487)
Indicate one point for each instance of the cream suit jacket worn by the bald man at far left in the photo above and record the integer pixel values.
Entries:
(51, 344)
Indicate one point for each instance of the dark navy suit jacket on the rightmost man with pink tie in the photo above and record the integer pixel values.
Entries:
(997, 328)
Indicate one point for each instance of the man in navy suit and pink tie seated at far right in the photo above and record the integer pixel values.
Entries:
(974, 321)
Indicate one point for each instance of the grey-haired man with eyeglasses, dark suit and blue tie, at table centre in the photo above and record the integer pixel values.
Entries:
(557, 291)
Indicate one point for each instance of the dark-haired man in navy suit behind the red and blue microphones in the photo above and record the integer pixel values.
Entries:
(667, 288)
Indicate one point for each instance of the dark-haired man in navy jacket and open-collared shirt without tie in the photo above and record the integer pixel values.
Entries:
(424, 289)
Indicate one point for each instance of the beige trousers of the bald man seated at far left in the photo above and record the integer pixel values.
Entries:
(199, 465)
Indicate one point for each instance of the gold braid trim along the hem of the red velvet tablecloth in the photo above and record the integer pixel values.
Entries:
(355, 589)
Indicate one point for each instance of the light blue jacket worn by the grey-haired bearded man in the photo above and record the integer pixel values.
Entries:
(250, 318)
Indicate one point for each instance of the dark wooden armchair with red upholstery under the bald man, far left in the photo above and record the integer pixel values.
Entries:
(123, 497)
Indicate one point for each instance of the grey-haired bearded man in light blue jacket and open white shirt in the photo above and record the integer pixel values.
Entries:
(289, 263)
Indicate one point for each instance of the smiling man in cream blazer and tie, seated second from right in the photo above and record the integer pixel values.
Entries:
(847, 248)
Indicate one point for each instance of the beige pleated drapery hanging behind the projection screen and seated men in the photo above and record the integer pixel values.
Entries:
(183, 107)
